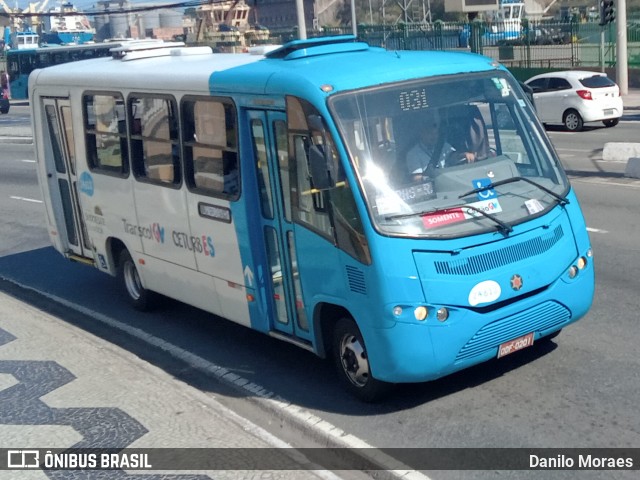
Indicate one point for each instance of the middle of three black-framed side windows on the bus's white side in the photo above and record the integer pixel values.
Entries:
(155, 155)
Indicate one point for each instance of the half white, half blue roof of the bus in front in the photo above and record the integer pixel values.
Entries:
(343, 66)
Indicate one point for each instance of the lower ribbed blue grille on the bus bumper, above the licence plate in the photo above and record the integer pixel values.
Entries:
(535, 319)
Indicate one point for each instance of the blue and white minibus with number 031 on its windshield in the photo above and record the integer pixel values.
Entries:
(273, 189)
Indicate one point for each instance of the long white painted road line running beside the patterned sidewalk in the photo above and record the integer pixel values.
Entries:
(321, 427)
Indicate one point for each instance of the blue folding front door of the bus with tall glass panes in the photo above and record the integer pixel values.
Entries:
(269, 137)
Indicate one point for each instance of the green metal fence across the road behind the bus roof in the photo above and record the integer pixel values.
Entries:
(533, 45)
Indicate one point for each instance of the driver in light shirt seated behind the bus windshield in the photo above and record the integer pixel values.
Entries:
(432, 150)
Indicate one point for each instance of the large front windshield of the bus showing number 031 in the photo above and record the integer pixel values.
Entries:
(449, 156)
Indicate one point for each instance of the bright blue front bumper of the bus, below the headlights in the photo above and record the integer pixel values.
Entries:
(423, 351)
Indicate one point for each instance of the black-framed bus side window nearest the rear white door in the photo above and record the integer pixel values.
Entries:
(105, 140)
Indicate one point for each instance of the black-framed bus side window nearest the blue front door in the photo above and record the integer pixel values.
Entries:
(210, 147)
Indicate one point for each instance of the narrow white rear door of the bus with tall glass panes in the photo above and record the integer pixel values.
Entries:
(60, 162)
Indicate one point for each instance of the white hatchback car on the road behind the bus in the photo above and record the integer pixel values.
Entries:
(575, 97)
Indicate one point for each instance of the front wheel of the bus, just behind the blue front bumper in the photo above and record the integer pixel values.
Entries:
(350, 359)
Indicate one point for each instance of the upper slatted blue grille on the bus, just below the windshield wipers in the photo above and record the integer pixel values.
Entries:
(502, 256)
